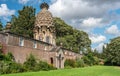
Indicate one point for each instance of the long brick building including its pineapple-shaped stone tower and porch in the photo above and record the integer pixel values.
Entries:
(43, 45)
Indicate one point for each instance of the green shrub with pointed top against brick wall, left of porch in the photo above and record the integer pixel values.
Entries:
(32, 65)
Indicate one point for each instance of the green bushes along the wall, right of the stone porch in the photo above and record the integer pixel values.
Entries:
(88, 59)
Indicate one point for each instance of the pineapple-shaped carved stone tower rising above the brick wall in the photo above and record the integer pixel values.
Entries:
(44, 29)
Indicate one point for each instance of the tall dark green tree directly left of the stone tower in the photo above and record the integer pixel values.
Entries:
(24, 23)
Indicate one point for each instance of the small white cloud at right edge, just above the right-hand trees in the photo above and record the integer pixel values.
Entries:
(113, 30)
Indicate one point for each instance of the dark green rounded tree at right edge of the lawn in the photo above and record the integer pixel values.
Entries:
(112, 52)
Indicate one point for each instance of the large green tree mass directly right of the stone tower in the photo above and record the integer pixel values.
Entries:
(71, 38)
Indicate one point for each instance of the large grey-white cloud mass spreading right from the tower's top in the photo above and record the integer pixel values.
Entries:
(82, 12)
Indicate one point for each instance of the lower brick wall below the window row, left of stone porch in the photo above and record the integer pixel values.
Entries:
(21, 53)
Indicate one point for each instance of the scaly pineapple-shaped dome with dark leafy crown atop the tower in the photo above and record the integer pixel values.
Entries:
(44, 17)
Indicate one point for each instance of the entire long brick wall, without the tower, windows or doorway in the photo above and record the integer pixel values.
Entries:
(42, 52)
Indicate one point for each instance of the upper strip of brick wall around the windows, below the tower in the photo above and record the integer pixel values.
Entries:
(28, 43)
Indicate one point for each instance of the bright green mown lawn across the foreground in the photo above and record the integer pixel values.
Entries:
(87, 71)
